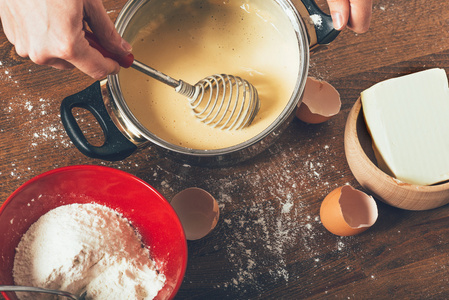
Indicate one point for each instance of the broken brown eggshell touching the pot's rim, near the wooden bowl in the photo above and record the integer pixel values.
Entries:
(320, 102)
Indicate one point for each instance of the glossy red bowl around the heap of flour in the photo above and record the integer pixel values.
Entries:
(140, 203)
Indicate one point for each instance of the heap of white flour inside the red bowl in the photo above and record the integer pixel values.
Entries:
(86, 247)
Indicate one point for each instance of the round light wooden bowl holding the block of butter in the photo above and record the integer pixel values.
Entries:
(362, 162)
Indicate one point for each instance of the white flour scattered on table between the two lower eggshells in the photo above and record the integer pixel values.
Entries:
(262, 236)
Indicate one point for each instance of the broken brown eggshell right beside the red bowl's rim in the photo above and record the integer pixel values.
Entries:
(197, 210)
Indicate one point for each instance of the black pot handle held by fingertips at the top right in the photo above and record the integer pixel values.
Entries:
(325, 30)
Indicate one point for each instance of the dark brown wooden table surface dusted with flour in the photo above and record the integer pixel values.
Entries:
(269, 242)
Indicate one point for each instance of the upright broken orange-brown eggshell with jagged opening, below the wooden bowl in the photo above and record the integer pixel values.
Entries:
(347, 211)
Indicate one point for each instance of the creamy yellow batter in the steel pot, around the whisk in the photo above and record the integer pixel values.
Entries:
(192, 39)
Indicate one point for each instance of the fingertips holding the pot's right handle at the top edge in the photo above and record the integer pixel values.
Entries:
(355, 14)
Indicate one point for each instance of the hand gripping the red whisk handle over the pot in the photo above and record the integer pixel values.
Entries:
(51, 32)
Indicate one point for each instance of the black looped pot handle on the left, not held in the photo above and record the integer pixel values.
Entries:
(116, 145)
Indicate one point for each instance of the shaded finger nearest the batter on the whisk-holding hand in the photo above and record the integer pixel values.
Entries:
(104, 29)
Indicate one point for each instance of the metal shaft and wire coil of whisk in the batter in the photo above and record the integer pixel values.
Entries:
(222, 101)
